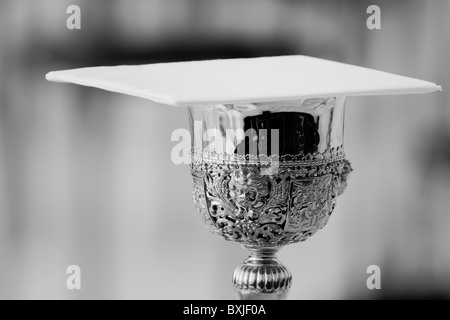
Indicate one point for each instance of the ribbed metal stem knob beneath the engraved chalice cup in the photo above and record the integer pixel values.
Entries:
(262, 276)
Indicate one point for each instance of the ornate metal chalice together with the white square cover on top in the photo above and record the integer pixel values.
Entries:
(267, 138)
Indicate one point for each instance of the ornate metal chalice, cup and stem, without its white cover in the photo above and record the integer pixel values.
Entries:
(269, 177)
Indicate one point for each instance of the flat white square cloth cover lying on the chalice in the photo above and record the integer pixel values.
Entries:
(242, 80)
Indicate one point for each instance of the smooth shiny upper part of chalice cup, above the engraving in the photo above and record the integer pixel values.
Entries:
(312, 126)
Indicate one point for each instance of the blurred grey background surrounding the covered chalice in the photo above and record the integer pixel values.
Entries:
(86, 176)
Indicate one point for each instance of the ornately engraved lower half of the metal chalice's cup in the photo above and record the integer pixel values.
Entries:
(238, 202)
